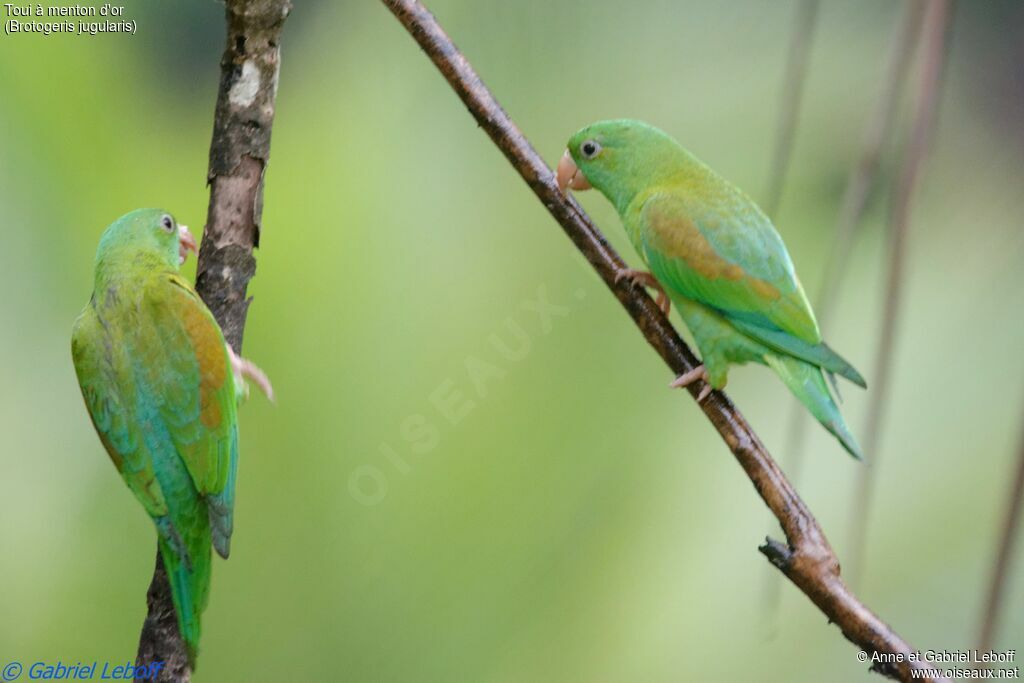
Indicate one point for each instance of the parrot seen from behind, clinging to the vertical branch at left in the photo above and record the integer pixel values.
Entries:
(161, 387)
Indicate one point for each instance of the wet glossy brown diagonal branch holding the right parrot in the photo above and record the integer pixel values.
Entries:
(806, 559)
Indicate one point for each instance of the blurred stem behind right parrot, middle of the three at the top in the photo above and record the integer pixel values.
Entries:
(860, 187)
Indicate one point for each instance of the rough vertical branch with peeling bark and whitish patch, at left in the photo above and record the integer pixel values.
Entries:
(239, 154)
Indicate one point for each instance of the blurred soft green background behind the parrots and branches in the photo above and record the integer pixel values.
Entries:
(579, 522)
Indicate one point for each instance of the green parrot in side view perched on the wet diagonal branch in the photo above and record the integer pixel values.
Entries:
(716, 255)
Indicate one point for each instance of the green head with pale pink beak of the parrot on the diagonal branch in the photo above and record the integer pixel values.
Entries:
(620, 158)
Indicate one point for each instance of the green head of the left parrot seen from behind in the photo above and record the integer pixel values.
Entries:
(145, 238)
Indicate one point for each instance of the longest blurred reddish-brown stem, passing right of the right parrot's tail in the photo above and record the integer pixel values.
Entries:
(935, 31)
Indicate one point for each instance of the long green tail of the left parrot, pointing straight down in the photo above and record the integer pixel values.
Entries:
(189, 577)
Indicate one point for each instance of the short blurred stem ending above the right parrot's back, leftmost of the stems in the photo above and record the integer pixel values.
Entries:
(793, 95)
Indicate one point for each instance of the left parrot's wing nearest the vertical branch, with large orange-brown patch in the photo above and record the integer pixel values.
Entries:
(191, 372)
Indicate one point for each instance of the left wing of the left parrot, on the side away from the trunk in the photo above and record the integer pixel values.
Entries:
(98, 359)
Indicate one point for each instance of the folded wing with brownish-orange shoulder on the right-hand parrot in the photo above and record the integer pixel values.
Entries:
(729, 257)
